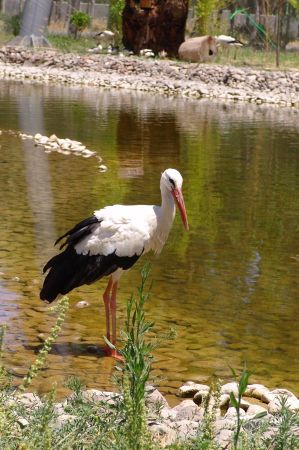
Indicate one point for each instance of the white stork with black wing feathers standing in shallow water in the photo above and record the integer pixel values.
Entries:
(110, 242)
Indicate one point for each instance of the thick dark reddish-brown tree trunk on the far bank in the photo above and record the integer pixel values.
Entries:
(157, 25)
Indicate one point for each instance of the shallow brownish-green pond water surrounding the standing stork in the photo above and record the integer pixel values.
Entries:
(229, 286)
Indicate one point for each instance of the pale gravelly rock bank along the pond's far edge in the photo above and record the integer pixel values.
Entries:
(167, 77)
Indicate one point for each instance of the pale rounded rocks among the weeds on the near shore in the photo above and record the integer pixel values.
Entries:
(259, 406)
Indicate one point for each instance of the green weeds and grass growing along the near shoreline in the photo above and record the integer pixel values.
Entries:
(122, 424)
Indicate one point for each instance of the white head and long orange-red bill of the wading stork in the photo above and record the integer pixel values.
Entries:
(172, 181)
